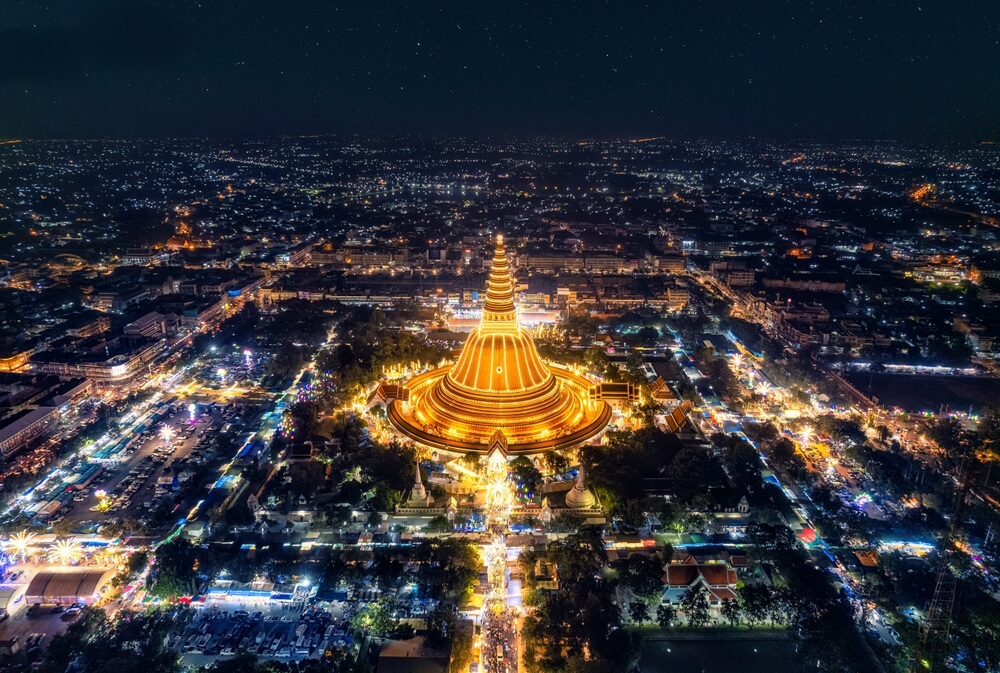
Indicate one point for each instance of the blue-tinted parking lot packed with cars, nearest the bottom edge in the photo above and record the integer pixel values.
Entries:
(284, 632)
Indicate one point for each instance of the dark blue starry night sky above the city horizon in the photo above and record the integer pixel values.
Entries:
(925, 70)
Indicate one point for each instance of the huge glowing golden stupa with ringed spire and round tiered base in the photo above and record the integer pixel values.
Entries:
(499, 384)
